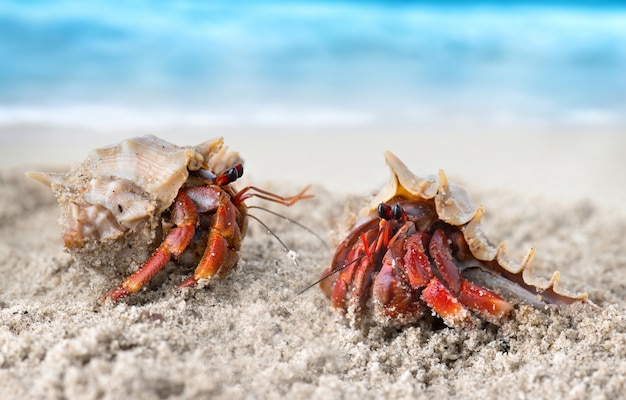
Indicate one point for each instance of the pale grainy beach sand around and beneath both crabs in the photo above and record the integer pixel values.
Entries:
(253, 336)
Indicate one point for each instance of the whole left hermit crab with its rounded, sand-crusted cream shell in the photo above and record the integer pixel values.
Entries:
(145, 195)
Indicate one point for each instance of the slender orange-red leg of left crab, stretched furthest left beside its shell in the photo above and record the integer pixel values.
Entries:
(185, 217)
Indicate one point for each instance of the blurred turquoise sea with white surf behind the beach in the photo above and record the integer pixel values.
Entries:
(310, 62)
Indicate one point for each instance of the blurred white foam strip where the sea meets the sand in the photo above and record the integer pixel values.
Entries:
(106, 119)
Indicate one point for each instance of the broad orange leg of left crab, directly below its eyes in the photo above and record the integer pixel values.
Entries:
(223, 244)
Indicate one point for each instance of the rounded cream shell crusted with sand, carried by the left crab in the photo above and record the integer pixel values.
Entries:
(111, 203)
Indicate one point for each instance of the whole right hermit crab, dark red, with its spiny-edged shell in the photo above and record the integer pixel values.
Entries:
(417, 247)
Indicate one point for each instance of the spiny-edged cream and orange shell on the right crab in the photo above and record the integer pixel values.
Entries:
(491, 266)
